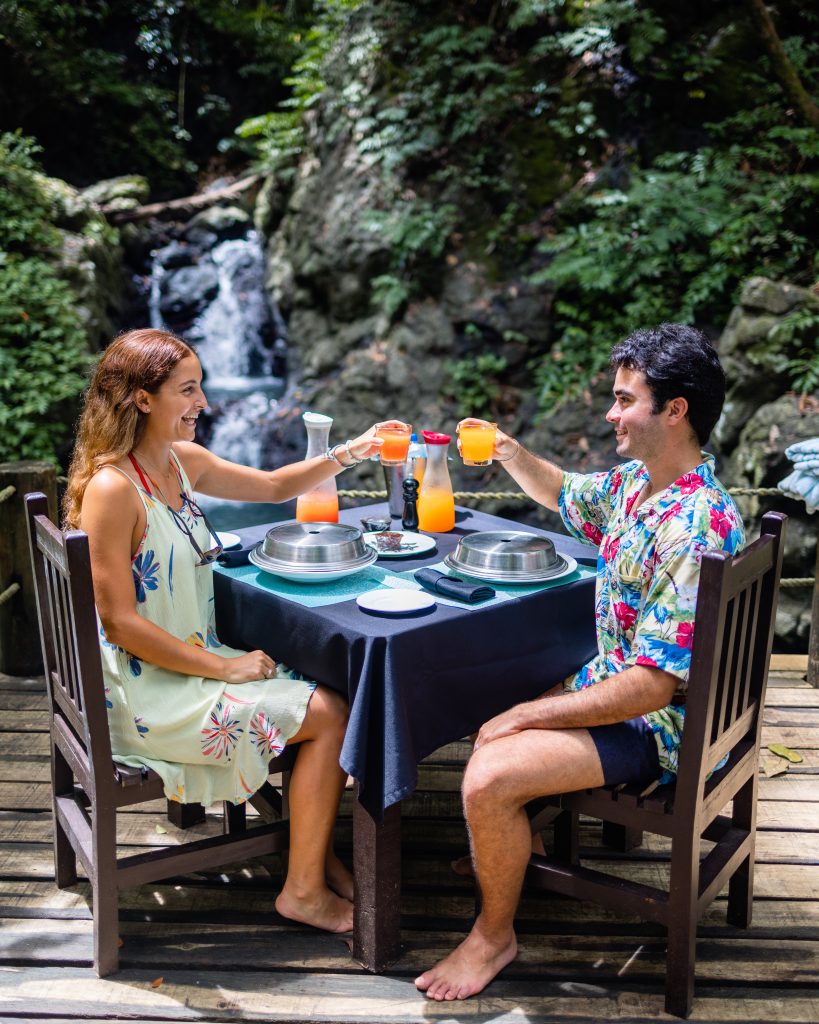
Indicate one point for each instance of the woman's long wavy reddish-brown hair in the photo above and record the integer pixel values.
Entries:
(111, 424)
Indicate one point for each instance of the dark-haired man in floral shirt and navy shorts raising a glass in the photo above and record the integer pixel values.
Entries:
(620, 718)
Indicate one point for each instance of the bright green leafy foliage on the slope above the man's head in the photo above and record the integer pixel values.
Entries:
(677, 245)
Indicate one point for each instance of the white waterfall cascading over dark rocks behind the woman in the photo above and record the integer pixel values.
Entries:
(215, 300)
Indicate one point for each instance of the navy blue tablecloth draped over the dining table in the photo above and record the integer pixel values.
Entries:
(418, 682)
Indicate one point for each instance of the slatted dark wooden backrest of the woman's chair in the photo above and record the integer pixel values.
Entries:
(71, 645)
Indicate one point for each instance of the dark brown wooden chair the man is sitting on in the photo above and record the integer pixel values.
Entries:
(734, 635)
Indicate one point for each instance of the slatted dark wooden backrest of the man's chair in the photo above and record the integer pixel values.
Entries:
(734, 636)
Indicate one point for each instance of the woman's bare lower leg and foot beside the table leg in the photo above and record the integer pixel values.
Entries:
(316, 788)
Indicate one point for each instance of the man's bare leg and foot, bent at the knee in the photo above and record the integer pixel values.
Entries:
(501, 779)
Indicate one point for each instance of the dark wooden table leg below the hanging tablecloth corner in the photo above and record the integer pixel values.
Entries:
(377, 864)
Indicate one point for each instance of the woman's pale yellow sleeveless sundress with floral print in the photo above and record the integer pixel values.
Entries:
(208, 740)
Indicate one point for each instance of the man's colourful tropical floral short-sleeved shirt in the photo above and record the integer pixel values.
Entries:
(648, 575)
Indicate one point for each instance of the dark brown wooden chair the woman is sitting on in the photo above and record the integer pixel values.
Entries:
(89, 786)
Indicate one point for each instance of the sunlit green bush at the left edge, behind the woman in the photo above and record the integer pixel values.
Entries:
(44, 354)
